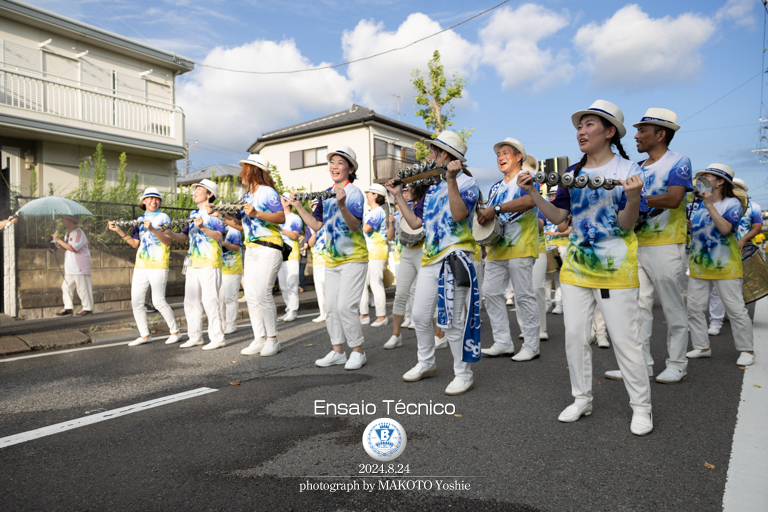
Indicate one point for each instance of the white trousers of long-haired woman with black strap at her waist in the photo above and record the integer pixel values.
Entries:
(260, 267)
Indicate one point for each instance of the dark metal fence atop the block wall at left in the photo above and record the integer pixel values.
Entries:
(34, 232)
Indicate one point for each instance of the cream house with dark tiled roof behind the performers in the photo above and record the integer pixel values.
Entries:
(382, 145)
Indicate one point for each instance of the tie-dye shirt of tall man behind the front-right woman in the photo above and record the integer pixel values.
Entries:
(670, 227)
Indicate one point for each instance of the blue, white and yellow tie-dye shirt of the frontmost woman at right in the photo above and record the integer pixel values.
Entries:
(600, 254)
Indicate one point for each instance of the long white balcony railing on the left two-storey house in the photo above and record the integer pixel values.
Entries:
(26, 91)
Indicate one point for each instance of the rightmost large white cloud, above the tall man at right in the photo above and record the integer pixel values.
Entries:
(633, 49)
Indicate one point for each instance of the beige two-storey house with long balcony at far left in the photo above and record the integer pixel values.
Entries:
(66, 86)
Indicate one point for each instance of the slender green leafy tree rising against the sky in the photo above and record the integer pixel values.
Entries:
(434, 93)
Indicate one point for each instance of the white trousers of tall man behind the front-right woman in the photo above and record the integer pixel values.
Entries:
(659, 268)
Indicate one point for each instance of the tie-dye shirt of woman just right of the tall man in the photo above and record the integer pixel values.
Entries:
(714, 256)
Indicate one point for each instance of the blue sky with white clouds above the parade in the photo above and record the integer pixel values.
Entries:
(528, 65)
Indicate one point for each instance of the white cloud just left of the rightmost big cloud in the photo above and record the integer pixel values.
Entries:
(510, 44)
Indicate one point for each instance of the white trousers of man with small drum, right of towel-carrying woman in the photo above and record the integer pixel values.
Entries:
(520, 272)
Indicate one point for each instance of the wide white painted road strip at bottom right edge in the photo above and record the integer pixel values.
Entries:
(745, 487)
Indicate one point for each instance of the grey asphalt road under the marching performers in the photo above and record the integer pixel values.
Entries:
(250, 446)
